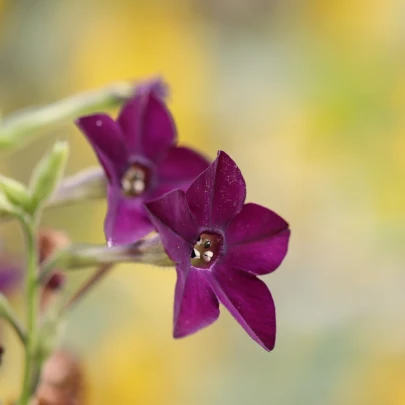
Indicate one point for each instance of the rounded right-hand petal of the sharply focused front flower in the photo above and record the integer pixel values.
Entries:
(257, 240)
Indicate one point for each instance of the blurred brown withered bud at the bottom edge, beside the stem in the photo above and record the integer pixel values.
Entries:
(61, 381)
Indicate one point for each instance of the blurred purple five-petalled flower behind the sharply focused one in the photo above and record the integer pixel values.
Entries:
(141, 160)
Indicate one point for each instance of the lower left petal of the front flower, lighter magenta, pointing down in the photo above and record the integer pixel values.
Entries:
(195, 305)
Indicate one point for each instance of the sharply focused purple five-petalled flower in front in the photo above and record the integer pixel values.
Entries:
(220, 245)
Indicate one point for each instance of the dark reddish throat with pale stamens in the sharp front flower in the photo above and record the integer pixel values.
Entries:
(206, 250)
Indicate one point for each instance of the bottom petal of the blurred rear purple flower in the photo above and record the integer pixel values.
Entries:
(127, 220)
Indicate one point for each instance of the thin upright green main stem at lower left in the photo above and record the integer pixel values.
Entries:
(32, 303)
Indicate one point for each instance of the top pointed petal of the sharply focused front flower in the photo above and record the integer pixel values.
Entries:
(218, 194)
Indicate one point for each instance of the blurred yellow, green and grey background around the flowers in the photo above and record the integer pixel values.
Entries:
(308, 97)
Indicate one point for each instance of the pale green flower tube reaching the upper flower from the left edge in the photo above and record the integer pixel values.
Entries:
(26, 125)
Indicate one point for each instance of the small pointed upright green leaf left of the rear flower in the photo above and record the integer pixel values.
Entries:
(47, 174)
